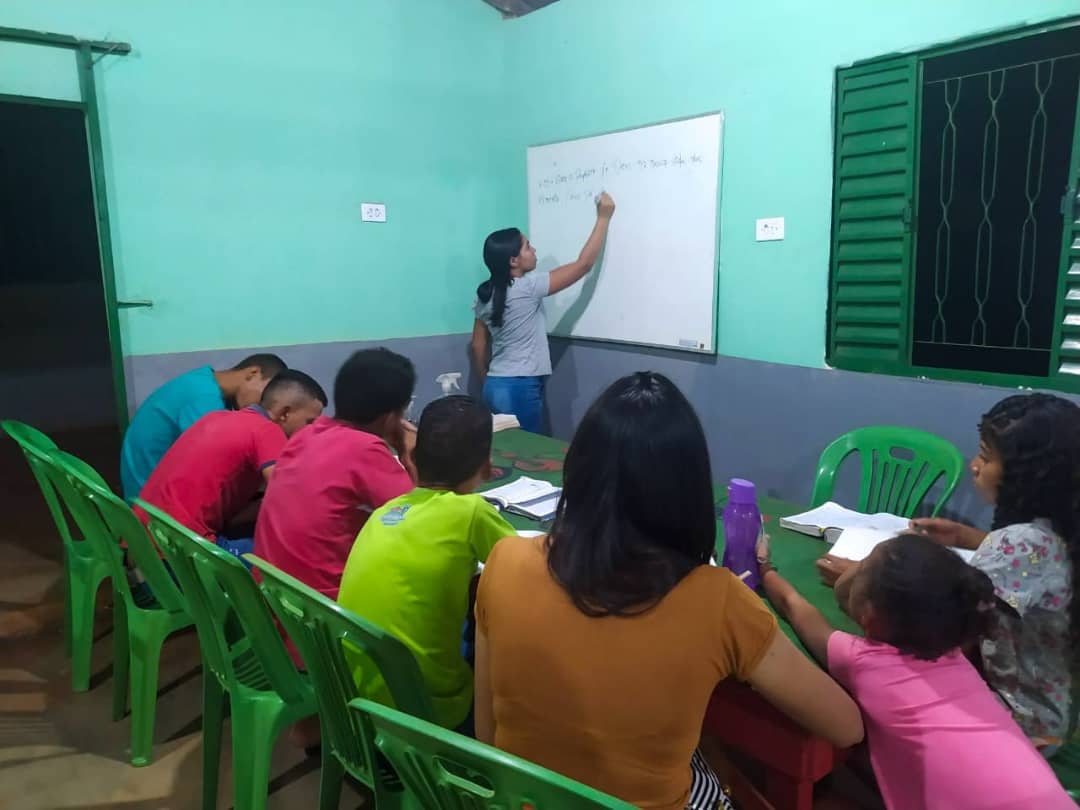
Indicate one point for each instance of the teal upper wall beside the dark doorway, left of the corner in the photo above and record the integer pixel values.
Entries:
(241, 139)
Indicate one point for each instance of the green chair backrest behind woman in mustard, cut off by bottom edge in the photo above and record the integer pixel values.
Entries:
(443, 771)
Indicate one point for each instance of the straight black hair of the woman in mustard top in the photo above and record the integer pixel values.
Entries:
(637, 515)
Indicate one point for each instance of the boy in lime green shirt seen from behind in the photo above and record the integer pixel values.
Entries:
(412, 565)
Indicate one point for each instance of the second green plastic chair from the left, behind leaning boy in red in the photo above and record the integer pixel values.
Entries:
(143, 620)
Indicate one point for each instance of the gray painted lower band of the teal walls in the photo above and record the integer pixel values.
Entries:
(766, 423)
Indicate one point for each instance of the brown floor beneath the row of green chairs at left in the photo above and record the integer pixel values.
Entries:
(62, 751)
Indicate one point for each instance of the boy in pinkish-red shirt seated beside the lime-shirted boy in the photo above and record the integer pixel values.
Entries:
(333, 476)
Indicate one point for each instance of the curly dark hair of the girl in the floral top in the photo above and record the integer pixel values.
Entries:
(1037, 437)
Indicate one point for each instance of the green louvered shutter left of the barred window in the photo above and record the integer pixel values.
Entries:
(873, 193)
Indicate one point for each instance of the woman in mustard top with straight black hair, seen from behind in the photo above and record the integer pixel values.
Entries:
(599, 646)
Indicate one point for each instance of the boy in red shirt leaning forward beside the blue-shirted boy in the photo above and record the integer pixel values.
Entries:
(217, 468)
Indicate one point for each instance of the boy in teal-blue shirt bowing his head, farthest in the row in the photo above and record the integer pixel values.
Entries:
(180, 403)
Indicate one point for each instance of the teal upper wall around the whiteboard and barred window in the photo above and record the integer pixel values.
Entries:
(590, 66)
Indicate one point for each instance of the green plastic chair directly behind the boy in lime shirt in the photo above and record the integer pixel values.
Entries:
(319, 628)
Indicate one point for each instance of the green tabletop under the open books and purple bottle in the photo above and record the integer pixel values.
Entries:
(517, 453)
